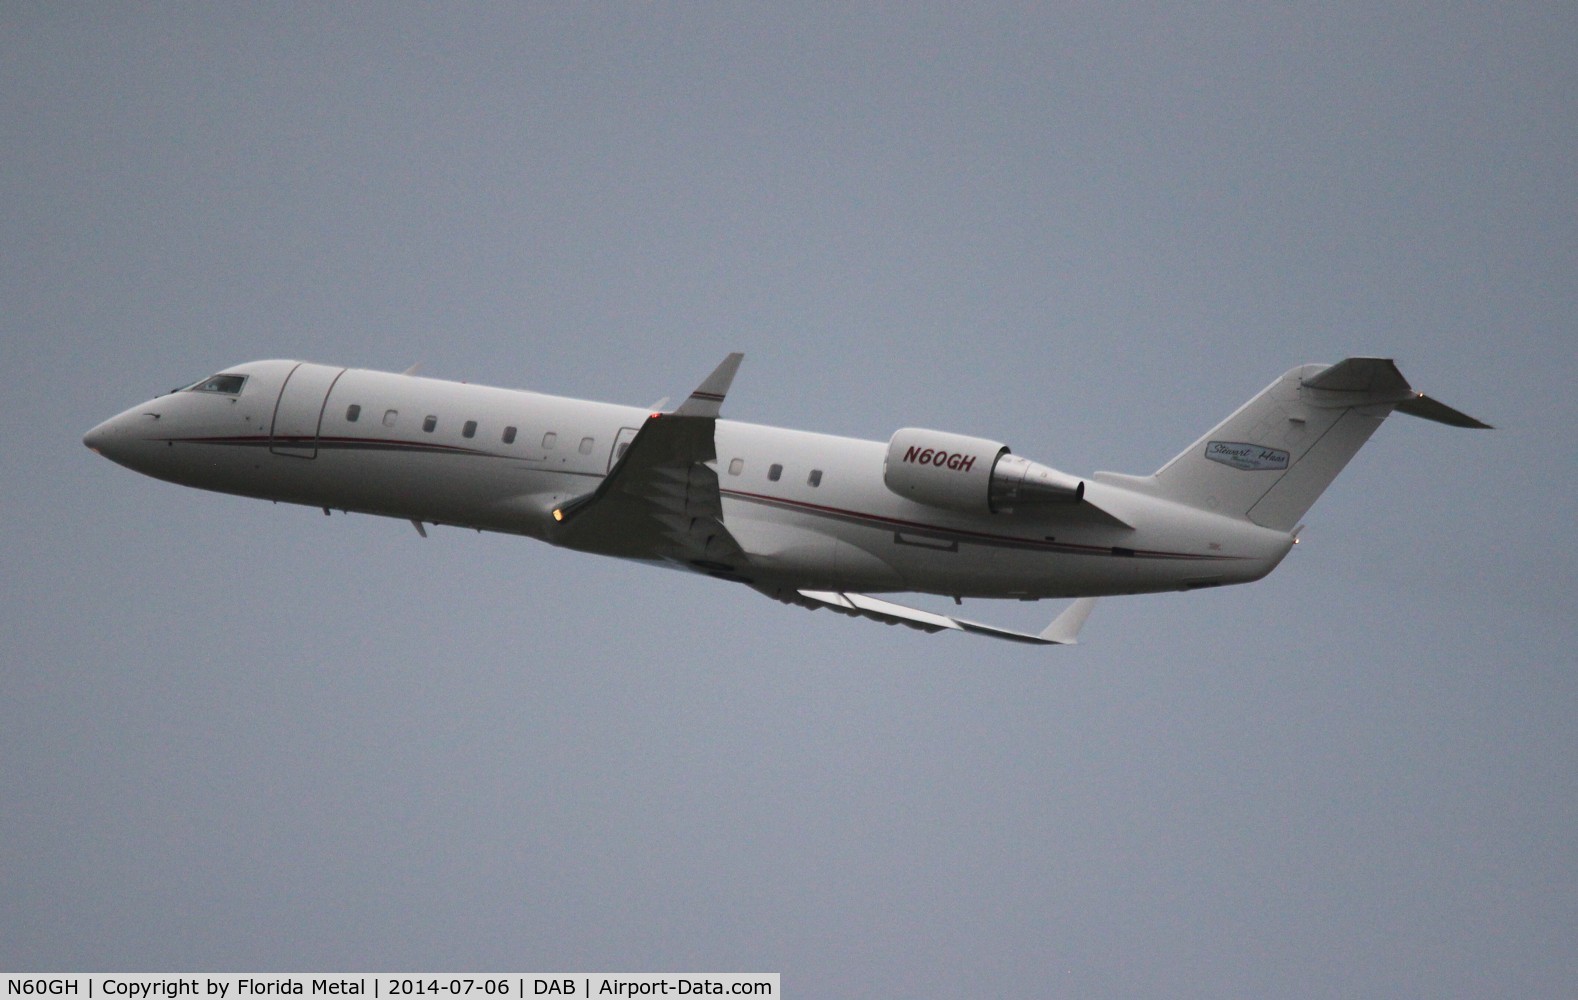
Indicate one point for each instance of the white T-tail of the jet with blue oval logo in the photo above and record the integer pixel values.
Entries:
(1277, 453)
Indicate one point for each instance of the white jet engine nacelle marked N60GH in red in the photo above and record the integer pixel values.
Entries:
(971, 474)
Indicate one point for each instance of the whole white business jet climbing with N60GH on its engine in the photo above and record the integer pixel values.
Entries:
(809, 520)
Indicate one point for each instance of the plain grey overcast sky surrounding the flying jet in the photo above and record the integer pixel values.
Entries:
(250, 737)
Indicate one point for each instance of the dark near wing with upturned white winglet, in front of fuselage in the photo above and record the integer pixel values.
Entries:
(662, 499)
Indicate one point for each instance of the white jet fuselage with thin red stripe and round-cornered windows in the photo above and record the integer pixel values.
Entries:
(809, 510)
